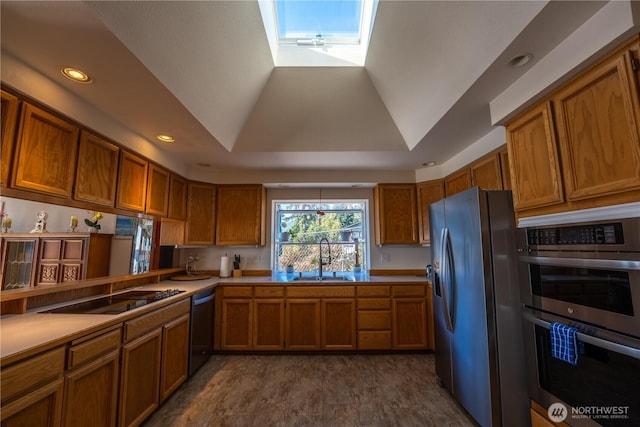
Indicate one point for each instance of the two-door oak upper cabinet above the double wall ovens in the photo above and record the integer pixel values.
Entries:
(579, 147)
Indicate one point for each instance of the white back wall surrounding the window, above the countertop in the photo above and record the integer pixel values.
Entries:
(259, 258)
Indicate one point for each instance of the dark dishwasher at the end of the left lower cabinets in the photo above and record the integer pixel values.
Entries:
(201, 340)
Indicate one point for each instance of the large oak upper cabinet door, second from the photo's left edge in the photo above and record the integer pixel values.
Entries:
(45, 153)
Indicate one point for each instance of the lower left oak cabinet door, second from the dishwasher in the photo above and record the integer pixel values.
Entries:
(140, 378)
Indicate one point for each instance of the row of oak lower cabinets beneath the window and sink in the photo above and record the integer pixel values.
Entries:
(316, 318)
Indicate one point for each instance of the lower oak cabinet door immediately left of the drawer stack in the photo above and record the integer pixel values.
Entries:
(338, 330)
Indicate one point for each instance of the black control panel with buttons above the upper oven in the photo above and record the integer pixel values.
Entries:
(590, 234)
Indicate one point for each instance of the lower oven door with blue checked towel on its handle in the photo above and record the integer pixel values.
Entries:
(602, 389)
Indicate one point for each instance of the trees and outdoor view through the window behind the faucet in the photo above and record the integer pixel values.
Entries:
(299, 226)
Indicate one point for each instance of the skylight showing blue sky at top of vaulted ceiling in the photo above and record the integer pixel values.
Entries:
(318, 32)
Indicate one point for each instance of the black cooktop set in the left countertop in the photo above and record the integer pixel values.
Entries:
(116, 304)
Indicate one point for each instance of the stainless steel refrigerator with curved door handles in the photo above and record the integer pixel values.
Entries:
(478, 330)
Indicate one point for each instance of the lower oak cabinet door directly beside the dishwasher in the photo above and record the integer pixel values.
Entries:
(175, 355)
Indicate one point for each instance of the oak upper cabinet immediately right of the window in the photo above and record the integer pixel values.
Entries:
(396, 214)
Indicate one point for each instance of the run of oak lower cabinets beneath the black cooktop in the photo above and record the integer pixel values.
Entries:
(115, 376)
